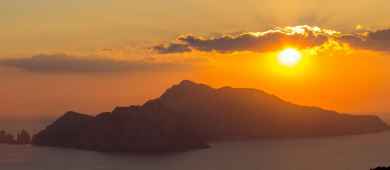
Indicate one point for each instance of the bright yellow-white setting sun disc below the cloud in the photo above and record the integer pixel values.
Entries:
(289, 57)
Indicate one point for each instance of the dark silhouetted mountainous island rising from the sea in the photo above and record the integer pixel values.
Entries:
(189, 115)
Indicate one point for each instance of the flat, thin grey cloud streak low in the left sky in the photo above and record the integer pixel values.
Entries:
(61, 63)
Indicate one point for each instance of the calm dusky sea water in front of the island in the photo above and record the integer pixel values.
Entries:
(337, 153)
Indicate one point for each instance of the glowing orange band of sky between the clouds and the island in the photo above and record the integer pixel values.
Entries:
(348, 81)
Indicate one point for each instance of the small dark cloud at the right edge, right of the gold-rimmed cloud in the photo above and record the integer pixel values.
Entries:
(371, 40)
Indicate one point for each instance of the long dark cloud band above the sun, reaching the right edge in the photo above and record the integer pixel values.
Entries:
(299, 37)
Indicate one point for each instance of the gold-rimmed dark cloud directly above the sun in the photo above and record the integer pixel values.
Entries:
(299, 37)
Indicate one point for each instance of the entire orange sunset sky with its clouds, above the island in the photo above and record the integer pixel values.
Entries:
(93, 55)
